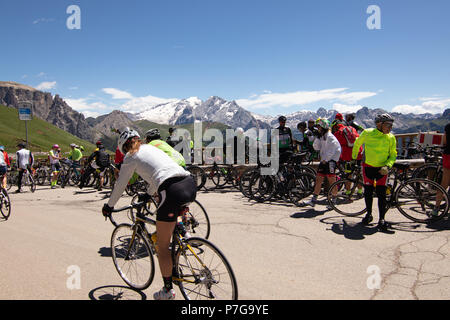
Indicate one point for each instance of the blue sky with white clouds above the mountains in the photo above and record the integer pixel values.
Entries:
(272, 57)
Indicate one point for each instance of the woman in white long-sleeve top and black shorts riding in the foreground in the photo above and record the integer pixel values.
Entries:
(174, 186)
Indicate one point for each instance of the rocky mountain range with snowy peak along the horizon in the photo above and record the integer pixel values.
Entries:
(55, 110)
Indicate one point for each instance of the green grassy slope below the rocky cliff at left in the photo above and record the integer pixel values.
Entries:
(41, 134)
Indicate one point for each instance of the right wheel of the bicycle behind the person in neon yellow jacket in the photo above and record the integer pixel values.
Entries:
(415, 198)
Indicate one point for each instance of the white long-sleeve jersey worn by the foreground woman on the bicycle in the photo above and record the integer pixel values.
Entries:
(152, 164)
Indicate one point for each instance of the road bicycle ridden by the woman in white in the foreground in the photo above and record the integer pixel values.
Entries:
(200, 269)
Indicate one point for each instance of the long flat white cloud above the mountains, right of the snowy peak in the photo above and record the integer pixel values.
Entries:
(289, 99)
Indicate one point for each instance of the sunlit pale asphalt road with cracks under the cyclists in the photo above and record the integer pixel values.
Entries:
(56, 245)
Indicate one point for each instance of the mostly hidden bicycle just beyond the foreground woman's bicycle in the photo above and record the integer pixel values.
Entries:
(197, 221)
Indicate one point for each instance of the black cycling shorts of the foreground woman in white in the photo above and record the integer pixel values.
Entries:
(173, 194)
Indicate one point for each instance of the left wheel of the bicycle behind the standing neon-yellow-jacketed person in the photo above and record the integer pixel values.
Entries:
(350, 205)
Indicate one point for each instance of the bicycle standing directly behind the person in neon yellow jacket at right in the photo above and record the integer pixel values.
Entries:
(415, 198)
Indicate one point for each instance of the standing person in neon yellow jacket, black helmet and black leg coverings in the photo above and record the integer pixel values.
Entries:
(380, 154)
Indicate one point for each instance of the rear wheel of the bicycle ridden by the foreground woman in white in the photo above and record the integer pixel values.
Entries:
(203, 272)
